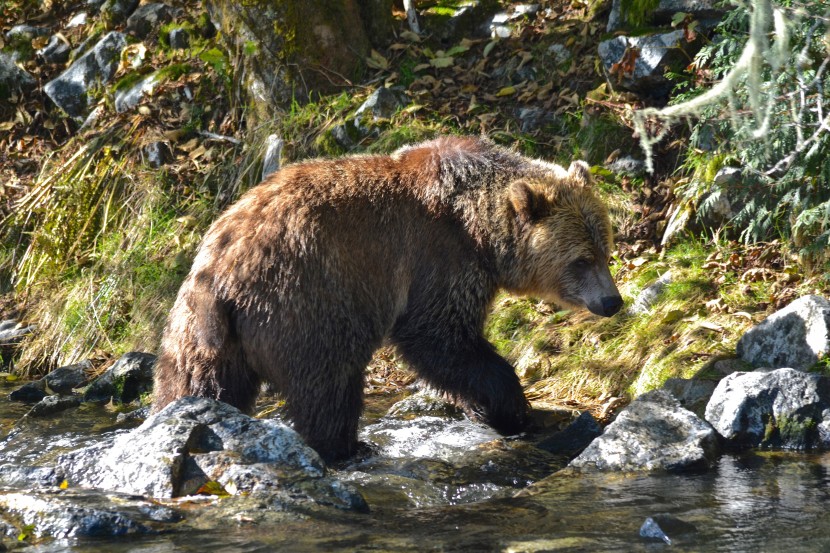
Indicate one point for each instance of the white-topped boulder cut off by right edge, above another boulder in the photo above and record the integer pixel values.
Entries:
(797, 336)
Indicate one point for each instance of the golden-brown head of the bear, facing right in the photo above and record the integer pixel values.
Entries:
(564, 242)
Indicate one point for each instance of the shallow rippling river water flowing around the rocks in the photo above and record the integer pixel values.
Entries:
(757, 501)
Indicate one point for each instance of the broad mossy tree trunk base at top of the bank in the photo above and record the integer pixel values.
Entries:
(286, 50)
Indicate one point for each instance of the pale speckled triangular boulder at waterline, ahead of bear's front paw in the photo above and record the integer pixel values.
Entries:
(653, 433)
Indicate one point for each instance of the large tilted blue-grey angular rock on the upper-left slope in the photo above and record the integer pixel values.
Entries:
(69, 90)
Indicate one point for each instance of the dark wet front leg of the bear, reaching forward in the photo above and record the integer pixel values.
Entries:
(477, 378)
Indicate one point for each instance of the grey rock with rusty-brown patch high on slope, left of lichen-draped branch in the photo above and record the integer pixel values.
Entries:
(657, 53)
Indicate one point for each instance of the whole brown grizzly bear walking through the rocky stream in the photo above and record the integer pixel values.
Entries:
(301, 280)
